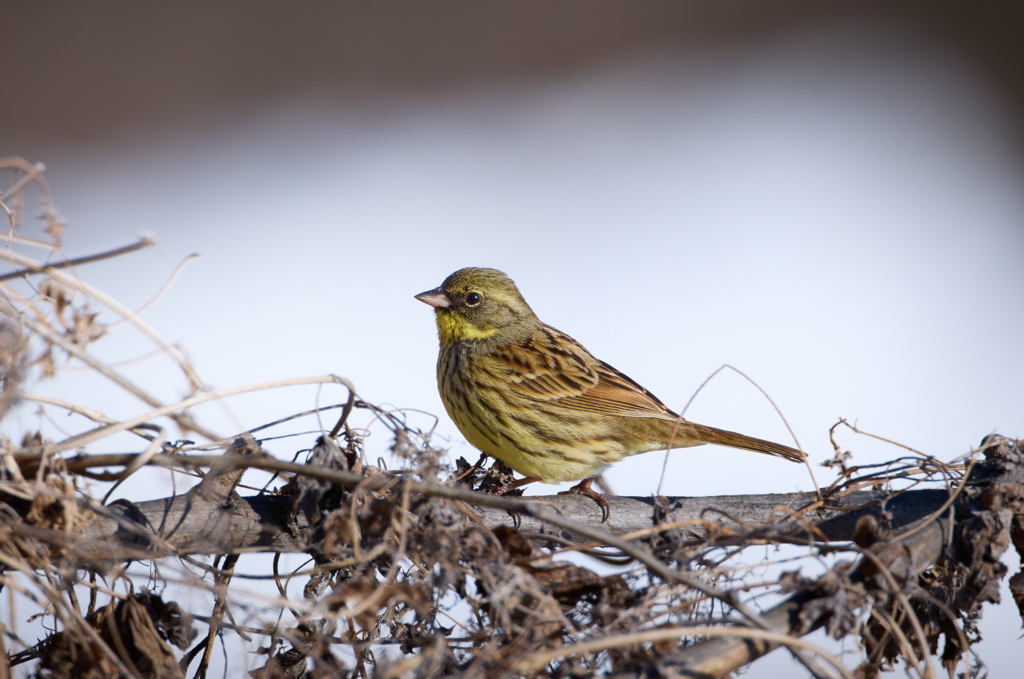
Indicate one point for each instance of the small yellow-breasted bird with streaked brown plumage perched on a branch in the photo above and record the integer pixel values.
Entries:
(535, 399)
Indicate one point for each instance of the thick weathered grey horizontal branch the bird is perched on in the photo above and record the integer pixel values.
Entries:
(196, 526)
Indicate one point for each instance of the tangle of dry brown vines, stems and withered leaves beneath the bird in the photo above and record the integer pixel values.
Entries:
(419, 571)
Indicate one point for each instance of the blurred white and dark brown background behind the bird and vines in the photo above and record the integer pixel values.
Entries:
(827, 197)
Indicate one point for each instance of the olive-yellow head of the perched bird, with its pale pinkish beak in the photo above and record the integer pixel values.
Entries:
(477, 305)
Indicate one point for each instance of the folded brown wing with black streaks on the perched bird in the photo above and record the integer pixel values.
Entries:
(553, 368)
